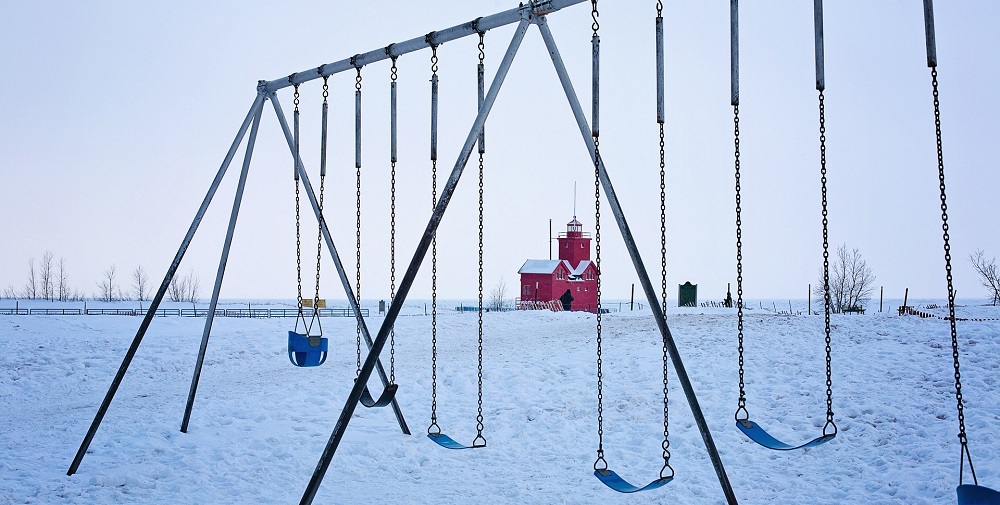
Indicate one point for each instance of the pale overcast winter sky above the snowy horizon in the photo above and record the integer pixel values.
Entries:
(119, 113)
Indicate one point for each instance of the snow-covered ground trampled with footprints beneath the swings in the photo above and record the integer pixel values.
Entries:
(260, 424)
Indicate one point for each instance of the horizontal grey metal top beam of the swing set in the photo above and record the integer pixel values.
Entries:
(479, 25)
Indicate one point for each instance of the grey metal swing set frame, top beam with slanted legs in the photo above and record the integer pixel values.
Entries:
(531, 13)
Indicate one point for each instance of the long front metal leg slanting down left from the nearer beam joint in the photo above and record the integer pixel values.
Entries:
(411, 272)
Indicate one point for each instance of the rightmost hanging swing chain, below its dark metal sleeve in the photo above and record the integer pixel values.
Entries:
(962, 436)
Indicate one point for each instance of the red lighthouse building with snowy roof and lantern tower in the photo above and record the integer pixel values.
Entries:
(548, 280)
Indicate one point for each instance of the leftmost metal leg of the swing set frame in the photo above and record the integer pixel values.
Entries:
(151, 312)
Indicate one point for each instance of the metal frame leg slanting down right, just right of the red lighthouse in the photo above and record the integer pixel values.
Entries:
(647, 286)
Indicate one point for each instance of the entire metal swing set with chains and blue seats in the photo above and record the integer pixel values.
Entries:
(309, 348)
